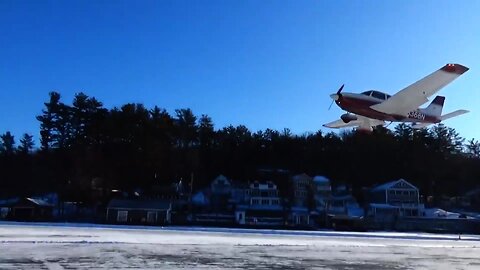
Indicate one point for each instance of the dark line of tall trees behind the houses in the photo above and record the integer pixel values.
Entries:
(85, 145)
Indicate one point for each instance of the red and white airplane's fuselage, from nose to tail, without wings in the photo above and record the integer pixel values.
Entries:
(361, 104)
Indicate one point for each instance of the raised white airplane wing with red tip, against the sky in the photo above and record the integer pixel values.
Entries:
(413, 96)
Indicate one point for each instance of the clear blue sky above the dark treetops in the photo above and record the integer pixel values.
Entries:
(265, 64)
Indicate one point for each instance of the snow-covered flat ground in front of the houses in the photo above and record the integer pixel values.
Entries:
(76, 246)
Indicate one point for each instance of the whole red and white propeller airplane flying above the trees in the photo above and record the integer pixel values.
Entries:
(373, 108)
